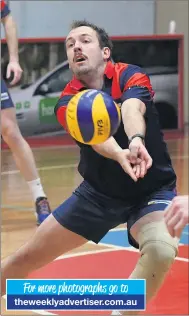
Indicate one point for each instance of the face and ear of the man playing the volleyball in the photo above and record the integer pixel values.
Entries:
(83, 51)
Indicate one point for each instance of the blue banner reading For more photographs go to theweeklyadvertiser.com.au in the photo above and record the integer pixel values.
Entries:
(76, 294)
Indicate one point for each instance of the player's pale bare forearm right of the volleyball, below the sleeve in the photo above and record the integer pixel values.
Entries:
(133, 117)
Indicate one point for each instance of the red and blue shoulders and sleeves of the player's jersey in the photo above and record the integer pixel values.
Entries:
(119, 79)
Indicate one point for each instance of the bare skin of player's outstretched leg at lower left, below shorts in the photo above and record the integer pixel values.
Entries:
(50, 241)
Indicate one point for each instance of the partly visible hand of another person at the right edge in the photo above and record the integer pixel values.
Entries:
(177, 215)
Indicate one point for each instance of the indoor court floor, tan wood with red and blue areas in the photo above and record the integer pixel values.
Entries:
(113, 257)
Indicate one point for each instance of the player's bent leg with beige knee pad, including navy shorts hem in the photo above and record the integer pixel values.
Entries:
(147, 232)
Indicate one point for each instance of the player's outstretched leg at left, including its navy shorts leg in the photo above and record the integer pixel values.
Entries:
(80, 218)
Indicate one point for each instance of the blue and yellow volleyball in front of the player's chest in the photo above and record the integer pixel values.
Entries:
(92, 117)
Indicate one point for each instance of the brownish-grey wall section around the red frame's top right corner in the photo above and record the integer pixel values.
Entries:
(166, 11)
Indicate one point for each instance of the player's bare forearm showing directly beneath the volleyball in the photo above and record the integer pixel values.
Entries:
(108, 149)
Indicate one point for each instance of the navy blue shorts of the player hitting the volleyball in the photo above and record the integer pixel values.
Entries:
(91, 214)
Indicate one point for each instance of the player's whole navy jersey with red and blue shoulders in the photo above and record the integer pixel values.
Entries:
(122, 82)
